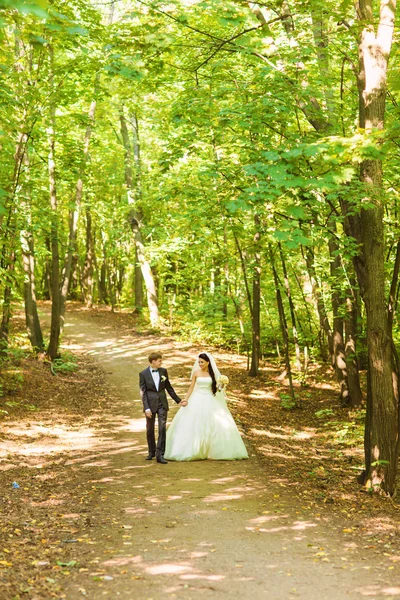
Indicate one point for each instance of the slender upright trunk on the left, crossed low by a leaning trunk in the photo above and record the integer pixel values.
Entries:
(55, 263)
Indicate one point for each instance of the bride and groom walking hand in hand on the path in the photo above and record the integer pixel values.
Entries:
(202, 428)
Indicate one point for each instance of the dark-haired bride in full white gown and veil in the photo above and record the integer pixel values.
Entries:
(205, 427)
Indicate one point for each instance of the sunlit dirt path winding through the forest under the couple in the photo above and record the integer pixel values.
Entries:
(193, 530)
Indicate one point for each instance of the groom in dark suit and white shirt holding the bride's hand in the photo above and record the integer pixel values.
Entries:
(153, 382)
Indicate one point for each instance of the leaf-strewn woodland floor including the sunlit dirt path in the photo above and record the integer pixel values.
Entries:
(93, 519)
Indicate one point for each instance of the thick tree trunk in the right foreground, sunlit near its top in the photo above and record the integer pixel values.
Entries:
(382, 421)
